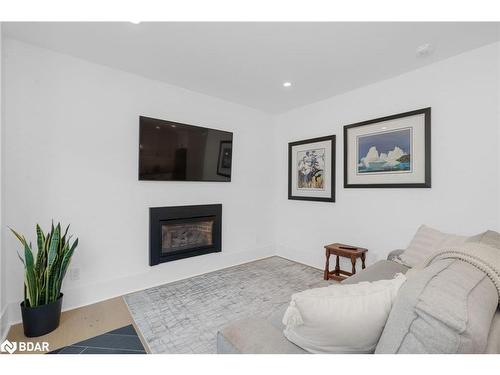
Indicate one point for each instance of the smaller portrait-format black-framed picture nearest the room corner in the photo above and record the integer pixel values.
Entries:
(311, 169)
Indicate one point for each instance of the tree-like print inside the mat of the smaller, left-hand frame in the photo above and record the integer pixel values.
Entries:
(310, 169)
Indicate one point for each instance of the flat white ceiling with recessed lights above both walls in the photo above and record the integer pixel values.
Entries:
(247, 63)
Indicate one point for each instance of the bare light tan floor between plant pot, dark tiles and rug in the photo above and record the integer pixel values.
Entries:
(83, 323)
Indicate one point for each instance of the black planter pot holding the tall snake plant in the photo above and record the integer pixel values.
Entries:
(40, 320)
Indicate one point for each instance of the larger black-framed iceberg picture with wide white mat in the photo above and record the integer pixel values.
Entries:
(389, 152)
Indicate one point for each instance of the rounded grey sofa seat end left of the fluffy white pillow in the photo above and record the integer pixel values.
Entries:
(254, 336)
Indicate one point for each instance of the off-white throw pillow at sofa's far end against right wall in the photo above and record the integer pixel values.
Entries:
(425, 243)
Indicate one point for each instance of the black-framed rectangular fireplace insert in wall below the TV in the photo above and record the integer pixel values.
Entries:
(184, 231)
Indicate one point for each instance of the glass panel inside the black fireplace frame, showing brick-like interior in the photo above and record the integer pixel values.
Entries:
(187, 235)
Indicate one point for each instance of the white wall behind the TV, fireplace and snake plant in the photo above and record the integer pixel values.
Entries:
(71, 155)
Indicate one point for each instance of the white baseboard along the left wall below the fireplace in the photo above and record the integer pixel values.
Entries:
(93, 293)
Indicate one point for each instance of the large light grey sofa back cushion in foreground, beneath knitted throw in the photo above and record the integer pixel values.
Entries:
(447, 307)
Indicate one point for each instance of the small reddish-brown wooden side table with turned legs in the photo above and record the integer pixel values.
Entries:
(346, 251)
